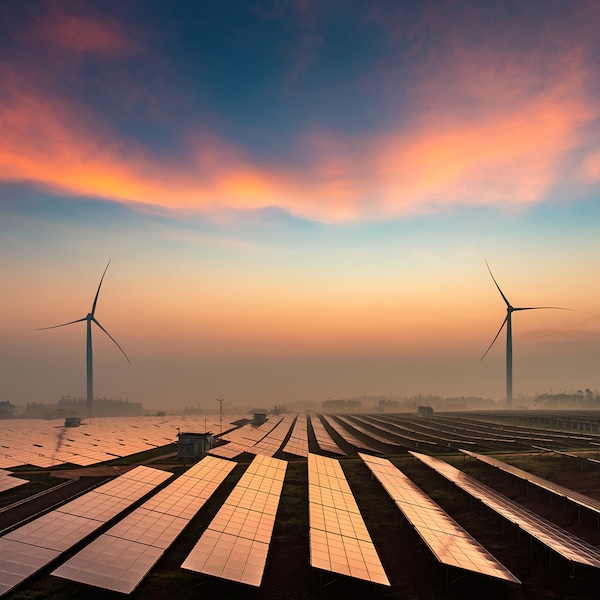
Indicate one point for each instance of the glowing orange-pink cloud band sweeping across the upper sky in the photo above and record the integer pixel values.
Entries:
(480, 133)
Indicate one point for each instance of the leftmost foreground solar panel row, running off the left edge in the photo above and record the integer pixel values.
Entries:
(32, 546)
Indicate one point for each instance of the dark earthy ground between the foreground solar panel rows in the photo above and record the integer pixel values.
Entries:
(412, 570)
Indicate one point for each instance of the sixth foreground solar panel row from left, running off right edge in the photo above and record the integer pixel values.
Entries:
(562, 542)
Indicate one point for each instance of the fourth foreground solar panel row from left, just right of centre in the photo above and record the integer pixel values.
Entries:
(339, 540)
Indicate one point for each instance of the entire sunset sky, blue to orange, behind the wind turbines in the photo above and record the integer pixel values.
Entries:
(298, 198)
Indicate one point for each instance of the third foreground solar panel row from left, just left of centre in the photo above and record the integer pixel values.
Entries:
(236, 543)
